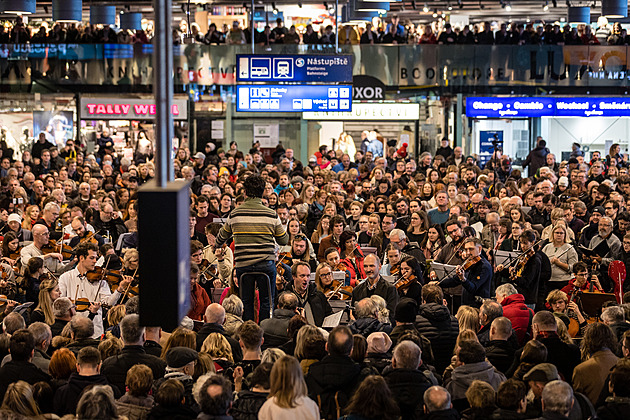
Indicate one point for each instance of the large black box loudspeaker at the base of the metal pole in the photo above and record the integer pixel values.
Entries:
(164, 248)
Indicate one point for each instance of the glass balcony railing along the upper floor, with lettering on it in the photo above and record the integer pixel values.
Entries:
(439, 66)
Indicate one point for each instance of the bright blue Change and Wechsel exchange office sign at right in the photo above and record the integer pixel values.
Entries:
(546, 107)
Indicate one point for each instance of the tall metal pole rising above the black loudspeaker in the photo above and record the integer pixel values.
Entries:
(163, 90)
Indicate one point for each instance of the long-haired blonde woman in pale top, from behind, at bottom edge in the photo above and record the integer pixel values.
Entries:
(288, 398)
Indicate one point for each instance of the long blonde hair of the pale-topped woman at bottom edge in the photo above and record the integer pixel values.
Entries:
(287, 382)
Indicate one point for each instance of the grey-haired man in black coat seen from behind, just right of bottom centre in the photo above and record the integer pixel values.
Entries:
(407, 382)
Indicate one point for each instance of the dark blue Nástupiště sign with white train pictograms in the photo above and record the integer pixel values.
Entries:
(294, 68)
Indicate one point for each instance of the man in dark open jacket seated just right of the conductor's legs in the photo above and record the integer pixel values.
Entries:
(314, 303)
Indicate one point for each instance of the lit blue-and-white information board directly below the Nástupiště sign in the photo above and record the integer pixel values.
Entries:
(293, 98)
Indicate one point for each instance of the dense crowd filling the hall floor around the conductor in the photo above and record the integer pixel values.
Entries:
(371, 285)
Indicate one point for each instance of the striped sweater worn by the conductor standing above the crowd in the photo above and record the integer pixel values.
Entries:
(255, 229)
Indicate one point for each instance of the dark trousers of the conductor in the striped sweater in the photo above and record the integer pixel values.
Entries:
(247, 286)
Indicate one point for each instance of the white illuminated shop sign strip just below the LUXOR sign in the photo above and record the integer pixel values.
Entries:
(389, 111)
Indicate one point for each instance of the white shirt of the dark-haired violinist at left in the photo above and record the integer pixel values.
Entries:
(74, 286)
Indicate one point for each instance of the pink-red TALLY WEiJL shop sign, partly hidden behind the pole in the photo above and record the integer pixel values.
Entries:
(127, 109)
